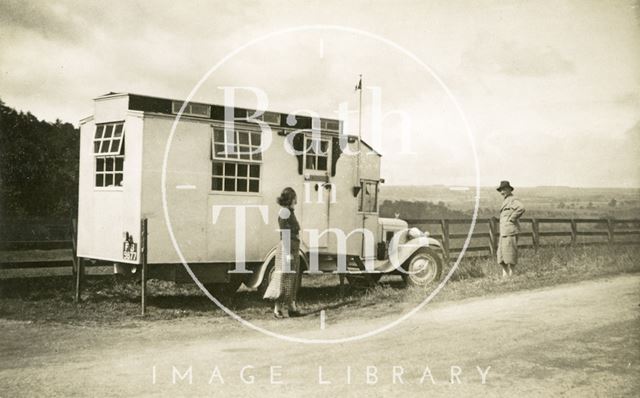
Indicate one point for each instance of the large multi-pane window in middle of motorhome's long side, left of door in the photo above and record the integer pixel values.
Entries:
(236, 161)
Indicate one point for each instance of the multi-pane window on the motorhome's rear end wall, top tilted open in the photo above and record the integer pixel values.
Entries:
(108, 147)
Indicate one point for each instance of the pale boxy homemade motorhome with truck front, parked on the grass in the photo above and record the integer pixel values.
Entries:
(219, 180)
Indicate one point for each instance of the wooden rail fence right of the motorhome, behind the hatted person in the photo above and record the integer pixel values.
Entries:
(607, 232)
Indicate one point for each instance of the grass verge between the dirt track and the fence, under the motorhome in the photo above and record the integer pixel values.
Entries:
(109, 301)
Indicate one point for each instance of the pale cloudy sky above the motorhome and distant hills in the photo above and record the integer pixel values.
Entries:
(549, 90)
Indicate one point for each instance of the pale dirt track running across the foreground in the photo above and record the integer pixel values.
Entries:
(580, 340)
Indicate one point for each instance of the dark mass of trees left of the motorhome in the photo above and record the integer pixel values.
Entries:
(38, 166)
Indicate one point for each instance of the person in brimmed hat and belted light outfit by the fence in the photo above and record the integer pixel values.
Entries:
(510, 212)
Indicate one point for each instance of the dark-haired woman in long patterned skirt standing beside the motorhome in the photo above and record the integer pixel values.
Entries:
(284, 285)
